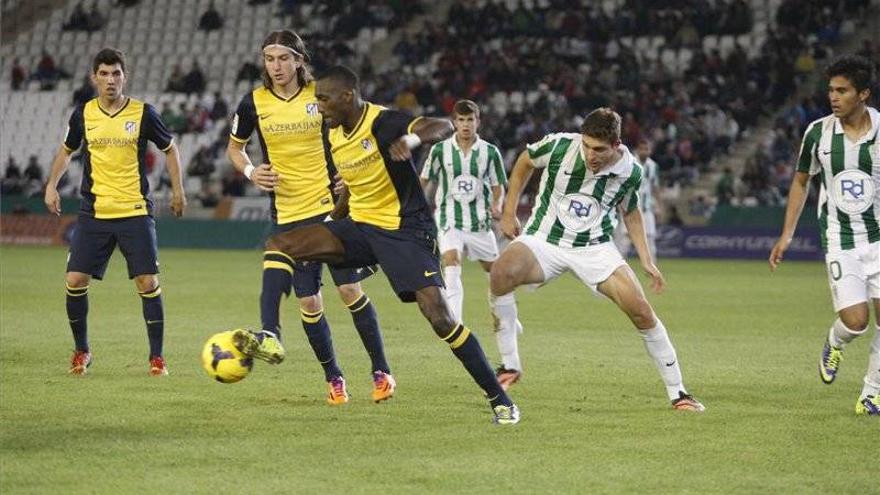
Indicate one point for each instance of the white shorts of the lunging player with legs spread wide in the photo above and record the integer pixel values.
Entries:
(591, 264)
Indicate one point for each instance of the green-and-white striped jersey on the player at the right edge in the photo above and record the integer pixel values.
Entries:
(849, 201)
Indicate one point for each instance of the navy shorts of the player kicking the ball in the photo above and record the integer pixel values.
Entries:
(409, 256)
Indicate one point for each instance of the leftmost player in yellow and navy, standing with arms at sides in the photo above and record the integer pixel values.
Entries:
(113, 130)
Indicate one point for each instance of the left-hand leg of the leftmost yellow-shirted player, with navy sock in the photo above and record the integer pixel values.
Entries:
(90, 250)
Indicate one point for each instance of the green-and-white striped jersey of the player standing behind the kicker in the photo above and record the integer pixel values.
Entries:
(464, 183)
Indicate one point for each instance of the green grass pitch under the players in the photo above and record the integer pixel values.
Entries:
(595, 415)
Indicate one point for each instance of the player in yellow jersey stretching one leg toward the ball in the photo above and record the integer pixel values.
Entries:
(388, 220)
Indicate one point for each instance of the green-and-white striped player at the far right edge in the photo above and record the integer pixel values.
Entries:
(843, 149)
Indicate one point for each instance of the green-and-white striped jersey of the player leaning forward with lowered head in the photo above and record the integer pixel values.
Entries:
(575, 207)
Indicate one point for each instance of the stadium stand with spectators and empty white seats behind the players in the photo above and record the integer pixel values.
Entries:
(695, 76)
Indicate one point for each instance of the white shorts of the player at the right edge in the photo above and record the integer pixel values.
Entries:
(854, 275)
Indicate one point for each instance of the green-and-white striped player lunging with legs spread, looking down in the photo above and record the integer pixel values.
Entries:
(588, 180)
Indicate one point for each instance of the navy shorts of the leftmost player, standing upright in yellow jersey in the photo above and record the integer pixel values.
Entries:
(94, 240)
